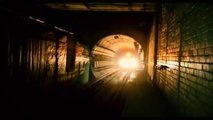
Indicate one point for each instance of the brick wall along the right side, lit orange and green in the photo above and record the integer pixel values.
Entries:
(185, 44)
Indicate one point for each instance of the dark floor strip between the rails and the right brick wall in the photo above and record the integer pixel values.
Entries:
(143, 100)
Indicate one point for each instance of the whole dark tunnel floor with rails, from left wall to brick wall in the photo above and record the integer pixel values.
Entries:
(136, 99)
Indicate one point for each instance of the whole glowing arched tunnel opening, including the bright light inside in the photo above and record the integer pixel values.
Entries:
(116, 52)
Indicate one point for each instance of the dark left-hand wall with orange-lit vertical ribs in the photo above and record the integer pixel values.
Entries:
(36, 54)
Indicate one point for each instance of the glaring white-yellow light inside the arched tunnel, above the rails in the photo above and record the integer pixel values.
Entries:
(128, 63)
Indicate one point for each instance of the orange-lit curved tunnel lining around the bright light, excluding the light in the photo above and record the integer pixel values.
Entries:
(107, 50)
